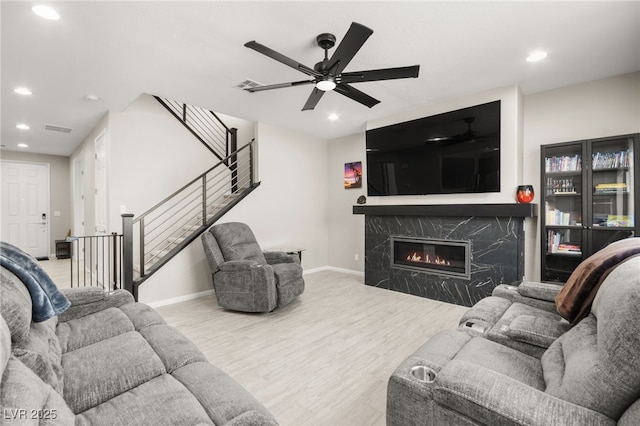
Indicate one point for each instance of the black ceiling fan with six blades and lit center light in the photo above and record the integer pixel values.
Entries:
(328, 74)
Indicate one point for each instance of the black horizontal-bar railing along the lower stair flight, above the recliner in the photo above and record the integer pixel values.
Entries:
(156, 236)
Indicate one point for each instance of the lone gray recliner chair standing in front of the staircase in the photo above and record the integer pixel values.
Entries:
(244, 277)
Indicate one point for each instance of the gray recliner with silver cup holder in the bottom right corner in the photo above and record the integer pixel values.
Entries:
(590, 375)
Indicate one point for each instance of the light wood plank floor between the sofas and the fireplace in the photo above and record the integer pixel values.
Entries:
(323, 360)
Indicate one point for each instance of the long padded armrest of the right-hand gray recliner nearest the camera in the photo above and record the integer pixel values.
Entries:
(478, 393)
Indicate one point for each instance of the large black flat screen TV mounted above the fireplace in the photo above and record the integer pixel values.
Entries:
(456, 152)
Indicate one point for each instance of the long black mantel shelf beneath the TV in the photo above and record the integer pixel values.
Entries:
(458, 210)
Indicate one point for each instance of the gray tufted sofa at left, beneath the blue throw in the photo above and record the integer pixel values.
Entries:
(108, 361)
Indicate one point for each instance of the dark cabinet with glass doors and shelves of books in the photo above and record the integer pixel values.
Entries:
(590, 199)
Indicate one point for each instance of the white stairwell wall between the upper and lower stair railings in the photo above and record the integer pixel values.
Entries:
(151, 155)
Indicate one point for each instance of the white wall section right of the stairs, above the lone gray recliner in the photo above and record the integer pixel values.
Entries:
(289, 209)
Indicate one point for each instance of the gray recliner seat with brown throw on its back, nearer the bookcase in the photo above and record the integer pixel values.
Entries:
(530, 316)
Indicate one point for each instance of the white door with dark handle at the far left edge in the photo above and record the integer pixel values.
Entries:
(25, 206)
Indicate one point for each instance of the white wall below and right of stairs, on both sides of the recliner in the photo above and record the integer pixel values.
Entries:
(288, 209)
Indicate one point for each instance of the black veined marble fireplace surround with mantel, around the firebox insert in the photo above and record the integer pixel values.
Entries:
(495, 233)
